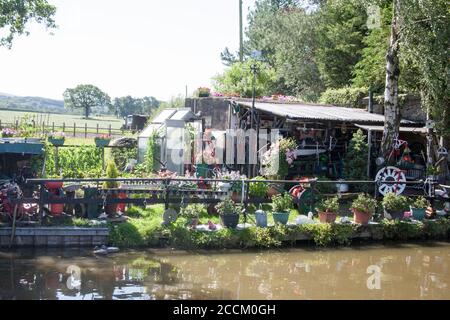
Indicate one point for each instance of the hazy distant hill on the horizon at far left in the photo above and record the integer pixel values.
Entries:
(36, 104)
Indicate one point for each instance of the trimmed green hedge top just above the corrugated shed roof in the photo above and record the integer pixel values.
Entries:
(346, 97)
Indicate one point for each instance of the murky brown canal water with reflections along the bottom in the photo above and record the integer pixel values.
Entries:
(407, 271)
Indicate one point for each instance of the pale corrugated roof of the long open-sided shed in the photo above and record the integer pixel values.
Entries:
(301, 111)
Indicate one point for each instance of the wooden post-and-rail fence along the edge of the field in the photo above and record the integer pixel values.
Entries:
(72, 129)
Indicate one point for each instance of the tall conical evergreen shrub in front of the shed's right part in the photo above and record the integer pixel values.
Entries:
(355, 162)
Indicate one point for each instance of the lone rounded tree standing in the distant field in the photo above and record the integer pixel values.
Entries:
(86, 97)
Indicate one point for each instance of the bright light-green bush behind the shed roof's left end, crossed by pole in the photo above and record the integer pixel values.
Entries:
(238, 79)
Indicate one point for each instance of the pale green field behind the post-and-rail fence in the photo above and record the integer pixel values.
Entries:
(9, 117)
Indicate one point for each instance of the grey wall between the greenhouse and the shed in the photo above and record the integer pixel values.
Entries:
(215, 111)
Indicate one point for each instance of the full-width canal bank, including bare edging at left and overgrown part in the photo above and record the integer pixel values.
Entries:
(139, 233)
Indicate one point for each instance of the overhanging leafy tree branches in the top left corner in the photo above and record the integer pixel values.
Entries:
(16, 14)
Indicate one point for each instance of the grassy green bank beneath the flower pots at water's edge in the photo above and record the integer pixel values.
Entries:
(144, 229)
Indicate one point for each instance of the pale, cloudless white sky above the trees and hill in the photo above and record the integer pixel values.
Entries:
(125, 47)
